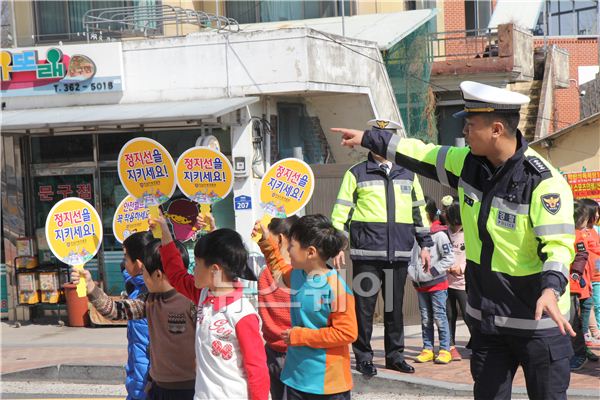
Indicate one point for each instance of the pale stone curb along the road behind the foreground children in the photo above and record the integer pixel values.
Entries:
(383, 382)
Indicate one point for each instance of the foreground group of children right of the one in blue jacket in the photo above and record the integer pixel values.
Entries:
(307, 316)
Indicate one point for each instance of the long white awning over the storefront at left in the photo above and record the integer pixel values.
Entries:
(120, 114)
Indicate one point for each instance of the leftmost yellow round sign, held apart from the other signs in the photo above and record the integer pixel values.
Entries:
(74, 231)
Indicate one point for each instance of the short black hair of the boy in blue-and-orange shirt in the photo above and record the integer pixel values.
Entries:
(317, 231)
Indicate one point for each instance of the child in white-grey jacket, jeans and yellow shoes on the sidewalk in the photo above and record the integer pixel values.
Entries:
(431, 283)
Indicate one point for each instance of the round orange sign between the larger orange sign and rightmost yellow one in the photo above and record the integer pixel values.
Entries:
(204, 175)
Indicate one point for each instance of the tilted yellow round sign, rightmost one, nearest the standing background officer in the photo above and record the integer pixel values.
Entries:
(286, 187)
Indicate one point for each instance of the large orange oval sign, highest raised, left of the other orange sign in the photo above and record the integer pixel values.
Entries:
(147, 171)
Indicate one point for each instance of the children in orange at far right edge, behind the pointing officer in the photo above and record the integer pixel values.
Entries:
(585, 283)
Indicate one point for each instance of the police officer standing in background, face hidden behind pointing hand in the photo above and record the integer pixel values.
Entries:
(382, 207)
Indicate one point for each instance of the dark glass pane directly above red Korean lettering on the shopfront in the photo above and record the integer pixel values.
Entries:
(59, 149)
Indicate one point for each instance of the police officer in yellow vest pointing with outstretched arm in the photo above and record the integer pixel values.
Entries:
(517, 214)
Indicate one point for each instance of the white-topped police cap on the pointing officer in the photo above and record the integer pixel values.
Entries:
(480, 98)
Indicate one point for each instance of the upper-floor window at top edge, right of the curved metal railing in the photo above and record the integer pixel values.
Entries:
(251, 11)
